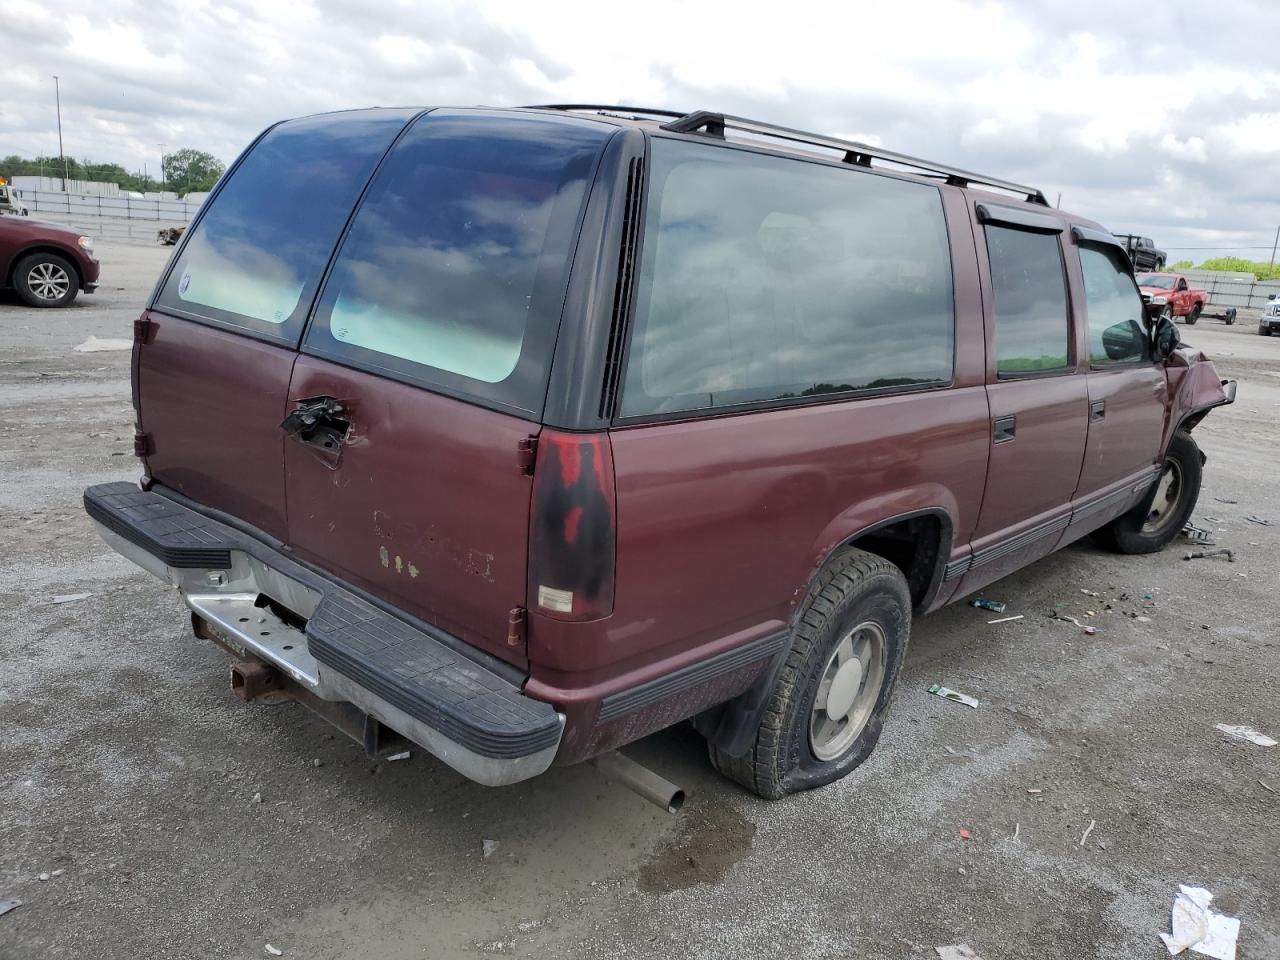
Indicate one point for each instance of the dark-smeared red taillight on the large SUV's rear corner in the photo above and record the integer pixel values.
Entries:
(573, 537)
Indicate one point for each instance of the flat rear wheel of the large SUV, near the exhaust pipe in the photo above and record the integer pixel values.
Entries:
(860, 612)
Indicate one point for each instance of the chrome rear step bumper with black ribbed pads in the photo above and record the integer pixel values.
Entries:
(333, 642)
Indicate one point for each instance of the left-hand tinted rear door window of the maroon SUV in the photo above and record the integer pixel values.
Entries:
(257, 255)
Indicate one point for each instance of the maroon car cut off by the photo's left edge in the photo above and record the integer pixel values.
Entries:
(45, 263)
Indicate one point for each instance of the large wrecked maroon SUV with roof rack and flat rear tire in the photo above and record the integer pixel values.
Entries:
(525, 433)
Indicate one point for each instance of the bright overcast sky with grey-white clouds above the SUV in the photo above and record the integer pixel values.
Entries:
(1162, 121)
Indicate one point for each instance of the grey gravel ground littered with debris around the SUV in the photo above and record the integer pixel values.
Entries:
(130, 771)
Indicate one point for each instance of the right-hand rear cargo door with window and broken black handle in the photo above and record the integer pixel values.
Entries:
(428, 360)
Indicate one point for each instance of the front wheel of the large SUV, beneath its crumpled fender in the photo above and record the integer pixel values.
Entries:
(1160, 518)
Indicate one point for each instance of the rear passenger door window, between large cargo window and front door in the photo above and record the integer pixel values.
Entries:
(1030, 300)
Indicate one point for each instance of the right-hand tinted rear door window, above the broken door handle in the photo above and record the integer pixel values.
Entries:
(454, 272)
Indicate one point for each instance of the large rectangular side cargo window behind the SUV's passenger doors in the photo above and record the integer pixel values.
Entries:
(769, 278)
